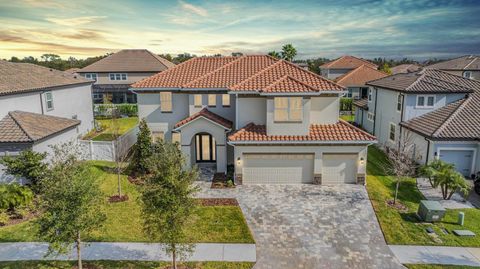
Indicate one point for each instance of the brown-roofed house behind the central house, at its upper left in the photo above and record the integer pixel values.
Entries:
(114, 74)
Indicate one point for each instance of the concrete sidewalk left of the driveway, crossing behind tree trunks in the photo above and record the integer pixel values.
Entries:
(129, 251)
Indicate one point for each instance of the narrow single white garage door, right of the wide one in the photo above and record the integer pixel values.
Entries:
(339, 168)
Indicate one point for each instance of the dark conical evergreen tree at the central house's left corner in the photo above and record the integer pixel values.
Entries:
(142, 150)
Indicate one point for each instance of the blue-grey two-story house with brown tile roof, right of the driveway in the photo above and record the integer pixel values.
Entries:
(436, 111)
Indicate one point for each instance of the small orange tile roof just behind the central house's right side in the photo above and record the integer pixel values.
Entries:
(359, 76)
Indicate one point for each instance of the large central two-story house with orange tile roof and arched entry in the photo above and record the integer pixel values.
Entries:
(274, 121)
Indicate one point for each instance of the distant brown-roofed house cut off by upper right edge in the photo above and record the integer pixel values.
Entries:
(467, 66)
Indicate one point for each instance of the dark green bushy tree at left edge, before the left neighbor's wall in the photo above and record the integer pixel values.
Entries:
(29, 164)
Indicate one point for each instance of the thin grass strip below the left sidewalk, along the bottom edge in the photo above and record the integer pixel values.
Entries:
(120, 265)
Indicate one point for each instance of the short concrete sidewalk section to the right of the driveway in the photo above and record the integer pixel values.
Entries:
(436, 255)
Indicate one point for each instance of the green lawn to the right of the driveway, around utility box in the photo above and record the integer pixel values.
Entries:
(404, 228)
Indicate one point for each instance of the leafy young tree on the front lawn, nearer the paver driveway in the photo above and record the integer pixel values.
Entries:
(167, 199)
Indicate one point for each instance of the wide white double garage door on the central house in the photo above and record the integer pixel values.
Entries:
(277, 168)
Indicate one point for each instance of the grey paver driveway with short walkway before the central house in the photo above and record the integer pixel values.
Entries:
(310, 226)
